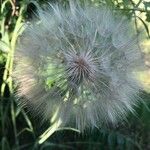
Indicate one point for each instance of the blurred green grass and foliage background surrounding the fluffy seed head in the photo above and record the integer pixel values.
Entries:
(20, 131)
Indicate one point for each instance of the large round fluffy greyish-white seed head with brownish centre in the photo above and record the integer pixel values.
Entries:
(78, 66)
